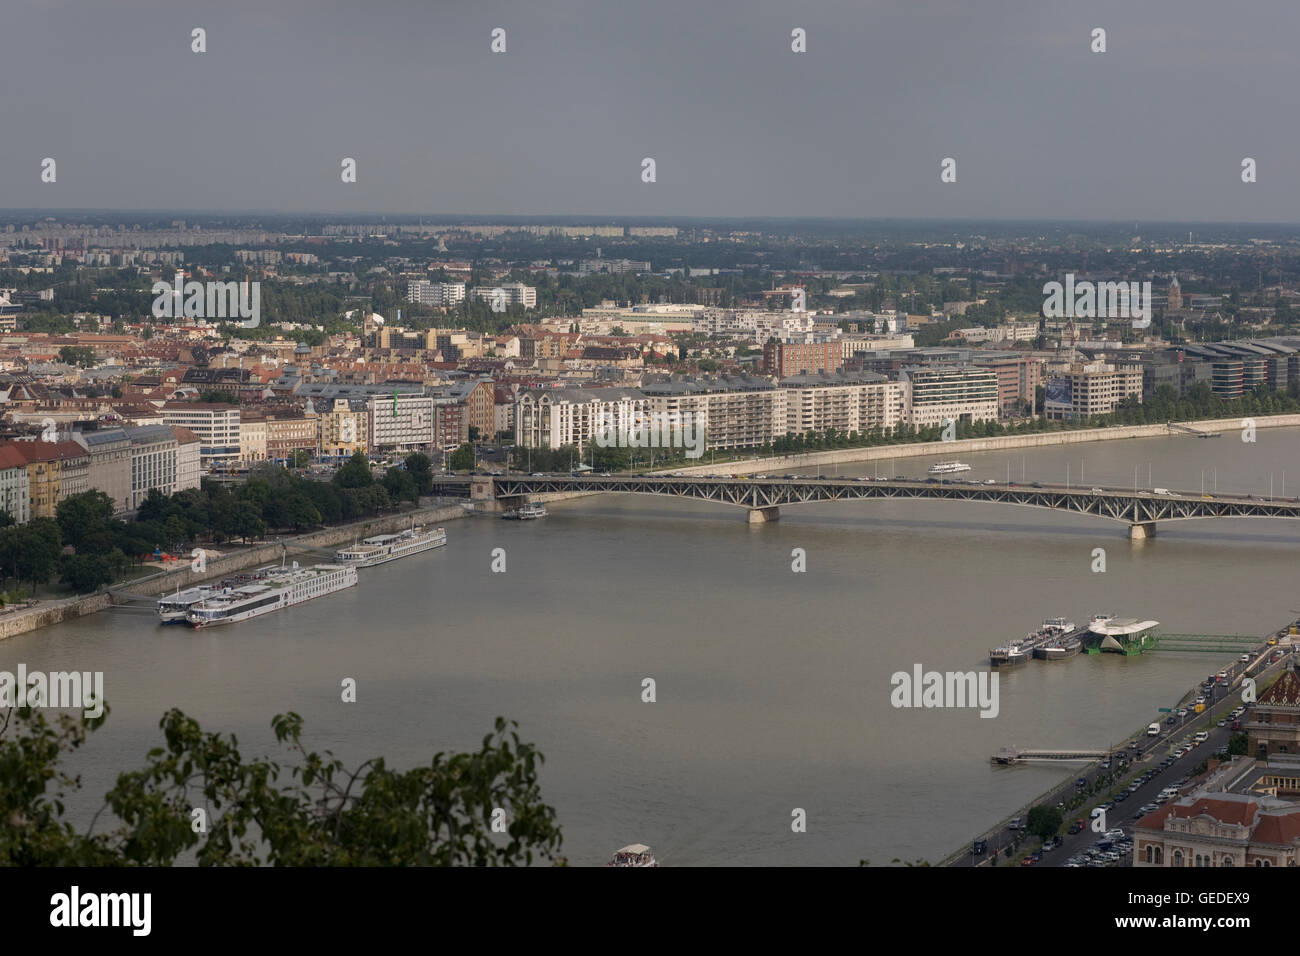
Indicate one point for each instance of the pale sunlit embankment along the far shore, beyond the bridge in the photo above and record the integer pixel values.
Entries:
(1230, 430)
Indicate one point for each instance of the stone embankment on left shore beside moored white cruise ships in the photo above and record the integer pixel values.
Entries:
(55, 612)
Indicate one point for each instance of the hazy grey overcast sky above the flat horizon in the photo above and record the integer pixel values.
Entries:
(739, 126)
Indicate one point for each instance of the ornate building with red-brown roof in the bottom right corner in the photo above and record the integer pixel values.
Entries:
(1220, 829)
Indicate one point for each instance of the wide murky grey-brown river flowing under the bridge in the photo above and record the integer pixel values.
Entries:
(773, 687)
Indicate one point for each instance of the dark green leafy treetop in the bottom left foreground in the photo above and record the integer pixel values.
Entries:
(310, 814)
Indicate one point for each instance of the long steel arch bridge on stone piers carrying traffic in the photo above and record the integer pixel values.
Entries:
(765, 496)
